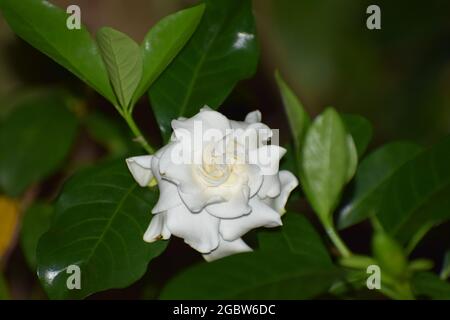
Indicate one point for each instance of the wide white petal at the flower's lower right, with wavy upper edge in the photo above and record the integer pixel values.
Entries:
(261, 216)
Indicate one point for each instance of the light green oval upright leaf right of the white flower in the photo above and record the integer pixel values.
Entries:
(325, 162)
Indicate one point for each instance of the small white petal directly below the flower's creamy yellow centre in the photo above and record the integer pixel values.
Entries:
(236, 206)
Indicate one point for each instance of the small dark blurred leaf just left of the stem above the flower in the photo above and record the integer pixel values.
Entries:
(109, 134)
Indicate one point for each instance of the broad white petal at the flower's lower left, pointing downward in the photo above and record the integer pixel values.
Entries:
(199, 230)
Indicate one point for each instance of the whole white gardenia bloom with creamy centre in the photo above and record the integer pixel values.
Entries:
(218, 179)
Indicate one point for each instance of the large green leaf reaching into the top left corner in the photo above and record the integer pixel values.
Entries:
(43, 25)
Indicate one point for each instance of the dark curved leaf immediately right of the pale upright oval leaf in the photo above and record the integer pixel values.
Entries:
(371, 179)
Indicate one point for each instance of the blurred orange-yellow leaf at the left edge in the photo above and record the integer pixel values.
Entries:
(9, 216)
